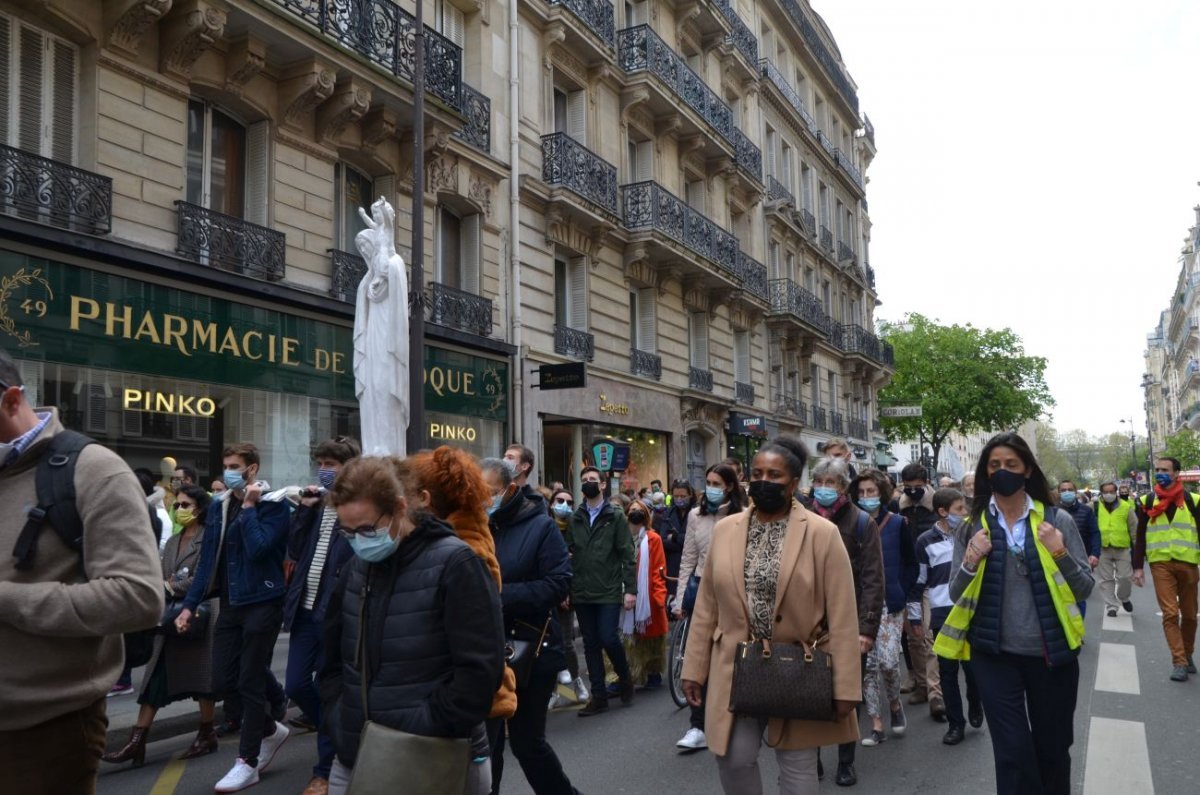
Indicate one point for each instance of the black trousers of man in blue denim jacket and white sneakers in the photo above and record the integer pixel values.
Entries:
(242, 661)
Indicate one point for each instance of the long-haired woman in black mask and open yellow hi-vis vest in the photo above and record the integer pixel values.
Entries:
(1019, 569)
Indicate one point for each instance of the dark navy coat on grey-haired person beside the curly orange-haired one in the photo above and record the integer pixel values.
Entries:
(536, 570)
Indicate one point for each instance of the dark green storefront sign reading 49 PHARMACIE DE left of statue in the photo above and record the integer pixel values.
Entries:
(71, 315)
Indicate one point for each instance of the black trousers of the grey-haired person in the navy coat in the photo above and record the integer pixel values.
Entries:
(527, 734)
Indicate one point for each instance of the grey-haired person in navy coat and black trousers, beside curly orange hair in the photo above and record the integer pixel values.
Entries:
(537, 575)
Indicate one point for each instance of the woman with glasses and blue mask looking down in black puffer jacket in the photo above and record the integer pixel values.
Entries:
(433, 657)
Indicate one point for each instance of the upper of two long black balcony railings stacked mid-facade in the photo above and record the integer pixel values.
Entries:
(640, 49)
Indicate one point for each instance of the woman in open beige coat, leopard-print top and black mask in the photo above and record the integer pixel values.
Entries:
(789, 570)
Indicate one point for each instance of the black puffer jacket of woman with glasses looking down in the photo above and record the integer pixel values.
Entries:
(435, 649)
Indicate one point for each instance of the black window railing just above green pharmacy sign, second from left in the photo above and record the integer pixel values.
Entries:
(230, 243)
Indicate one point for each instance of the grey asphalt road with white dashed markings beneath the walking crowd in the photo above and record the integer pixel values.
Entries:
(1145, 740)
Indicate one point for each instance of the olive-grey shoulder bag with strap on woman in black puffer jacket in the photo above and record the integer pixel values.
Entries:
(391, 761)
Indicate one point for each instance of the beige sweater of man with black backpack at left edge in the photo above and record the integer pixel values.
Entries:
(61, 635)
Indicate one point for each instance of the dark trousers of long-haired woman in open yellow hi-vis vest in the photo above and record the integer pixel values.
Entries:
(1031, 719)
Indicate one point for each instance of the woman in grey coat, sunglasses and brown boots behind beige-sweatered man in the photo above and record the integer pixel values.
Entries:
(179, 668)
